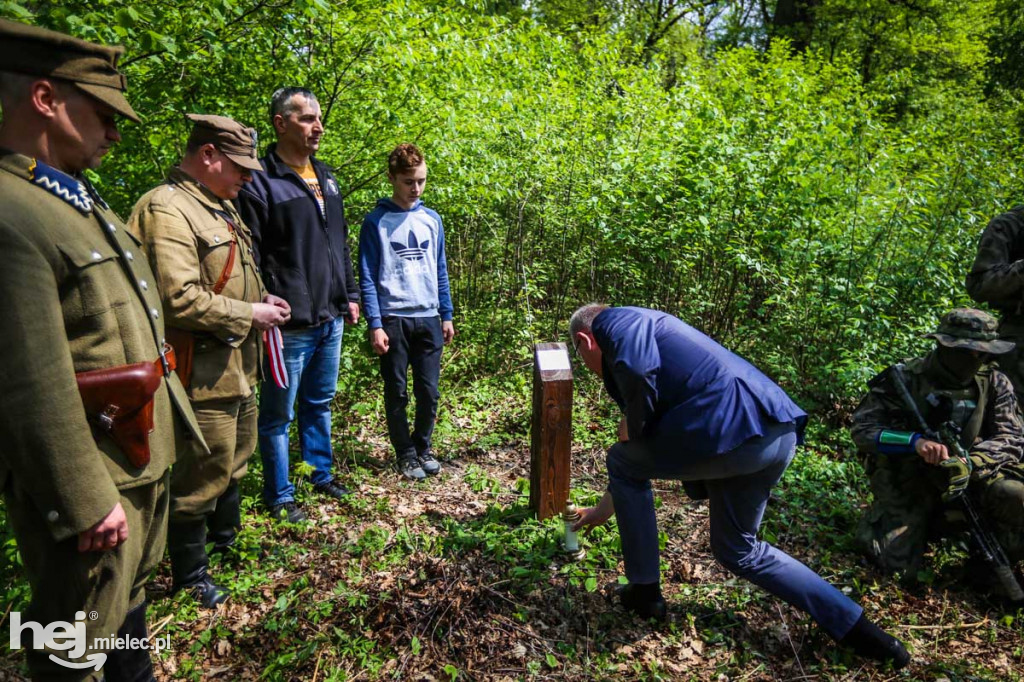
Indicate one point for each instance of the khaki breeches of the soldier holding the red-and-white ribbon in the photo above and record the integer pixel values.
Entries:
(197, 480)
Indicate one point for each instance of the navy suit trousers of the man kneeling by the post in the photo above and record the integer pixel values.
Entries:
(739, 484)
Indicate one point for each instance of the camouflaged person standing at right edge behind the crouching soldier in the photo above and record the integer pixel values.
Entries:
(996, 279)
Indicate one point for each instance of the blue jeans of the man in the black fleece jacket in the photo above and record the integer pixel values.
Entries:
(312, 359)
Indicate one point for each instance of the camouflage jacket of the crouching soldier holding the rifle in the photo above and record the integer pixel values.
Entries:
(995, 438)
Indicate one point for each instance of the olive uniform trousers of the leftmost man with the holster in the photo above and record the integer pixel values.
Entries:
(106, 585)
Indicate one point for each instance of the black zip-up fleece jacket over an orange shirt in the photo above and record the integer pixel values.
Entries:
(303, 257)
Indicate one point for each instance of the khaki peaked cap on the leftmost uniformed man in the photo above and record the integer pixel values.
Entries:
(34, 52)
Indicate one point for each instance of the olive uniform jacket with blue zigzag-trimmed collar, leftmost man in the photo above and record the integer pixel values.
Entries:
(76, 297)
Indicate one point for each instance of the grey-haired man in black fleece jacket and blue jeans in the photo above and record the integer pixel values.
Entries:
(297, 218)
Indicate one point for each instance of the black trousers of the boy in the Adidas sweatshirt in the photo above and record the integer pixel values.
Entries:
(416, 342)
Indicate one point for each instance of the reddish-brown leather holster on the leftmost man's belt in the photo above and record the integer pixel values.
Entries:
(119, 403)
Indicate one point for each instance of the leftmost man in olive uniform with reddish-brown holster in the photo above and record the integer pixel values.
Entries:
(83, 472)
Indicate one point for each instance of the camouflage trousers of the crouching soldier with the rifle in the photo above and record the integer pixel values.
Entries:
(909, 511)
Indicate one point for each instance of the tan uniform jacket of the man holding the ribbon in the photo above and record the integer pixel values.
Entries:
(184, 229)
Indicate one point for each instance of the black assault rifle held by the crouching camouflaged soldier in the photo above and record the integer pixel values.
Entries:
(947, 435)
